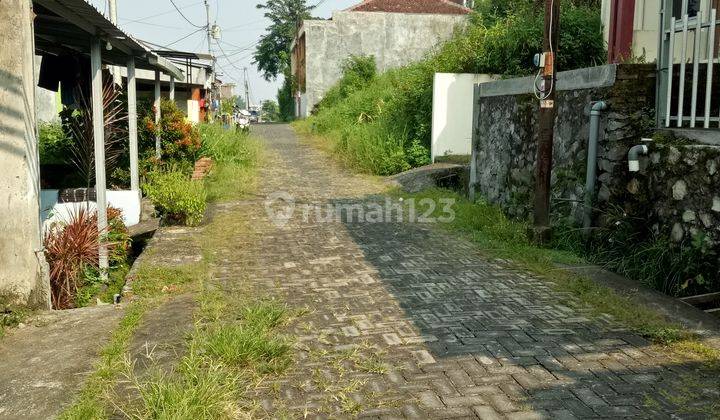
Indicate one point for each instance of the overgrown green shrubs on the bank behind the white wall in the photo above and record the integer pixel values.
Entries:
(382, 123)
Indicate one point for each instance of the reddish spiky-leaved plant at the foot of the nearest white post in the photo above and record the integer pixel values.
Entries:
(72, 247)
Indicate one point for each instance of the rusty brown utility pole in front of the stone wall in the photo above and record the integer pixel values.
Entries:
(548, 112)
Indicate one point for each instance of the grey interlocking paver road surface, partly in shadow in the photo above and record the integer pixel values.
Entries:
(419, 322)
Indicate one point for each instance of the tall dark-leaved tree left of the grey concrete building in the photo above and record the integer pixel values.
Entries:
(272, 54)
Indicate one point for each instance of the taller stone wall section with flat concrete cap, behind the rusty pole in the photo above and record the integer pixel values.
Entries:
(505, 139)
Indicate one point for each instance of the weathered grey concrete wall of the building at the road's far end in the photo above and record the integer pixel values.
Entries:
(394, 39)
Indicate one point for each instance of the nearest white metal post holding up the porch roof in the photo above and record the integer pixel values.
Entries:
(99, 140)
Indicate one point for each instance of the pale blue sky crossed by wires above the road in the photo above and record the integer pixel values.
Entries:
(241, 22)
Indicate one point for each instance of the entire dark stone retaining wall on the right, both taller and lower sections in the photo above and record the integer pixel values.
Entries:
(676, 194)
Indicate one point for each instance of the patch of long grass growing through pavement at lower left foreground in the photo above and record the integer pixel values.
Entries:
(229, 350)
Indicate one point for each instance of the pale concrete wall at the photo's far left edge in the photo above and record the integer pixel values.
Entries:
(22, 266)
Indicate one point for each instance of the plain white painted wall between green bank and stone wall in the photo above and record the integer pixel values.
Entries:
(452, 112)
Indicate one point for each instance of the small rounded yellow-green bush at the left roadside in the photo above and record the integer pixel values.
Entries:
(176, 197)
